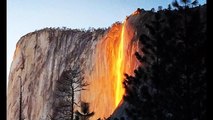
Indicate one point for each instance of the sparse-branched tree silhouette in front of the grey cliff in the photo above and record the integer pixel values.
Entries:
(70, 83)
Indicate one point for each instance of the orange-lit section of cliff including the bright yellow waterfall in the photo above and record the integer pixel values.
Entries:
(113, 56)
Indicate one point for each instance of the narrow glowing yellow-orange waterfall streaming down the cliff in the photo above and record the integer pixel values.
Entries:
(120, 68)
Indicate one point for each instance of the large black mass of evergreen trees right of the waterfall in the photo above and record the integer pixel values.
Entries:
(171, 84)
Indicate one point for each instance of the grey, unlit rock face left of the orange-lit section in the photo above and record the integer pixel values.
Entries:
(39, 59)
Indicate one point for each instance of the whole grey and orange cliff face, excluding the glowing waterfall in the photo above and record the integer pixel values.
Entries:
(41, 57)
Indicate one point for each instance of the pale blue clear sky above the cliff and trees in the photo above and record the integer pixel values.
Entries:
(24, 16)
